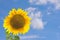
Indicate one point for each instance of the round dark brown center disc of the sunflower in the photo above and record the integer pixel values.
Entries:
(17, 21)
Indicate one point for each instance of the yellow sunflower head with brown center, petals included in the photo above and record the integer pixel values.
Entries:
(17, 22)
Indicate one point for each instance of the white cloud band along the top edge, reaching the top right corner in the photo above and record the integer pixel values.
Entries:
(41, 2)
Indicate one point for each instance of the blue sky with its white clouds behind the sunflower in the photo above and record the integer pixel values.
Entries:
(45, 16)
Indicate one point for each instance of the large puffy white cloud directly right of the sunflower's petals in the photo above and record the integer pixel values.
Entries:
(36, 16)
